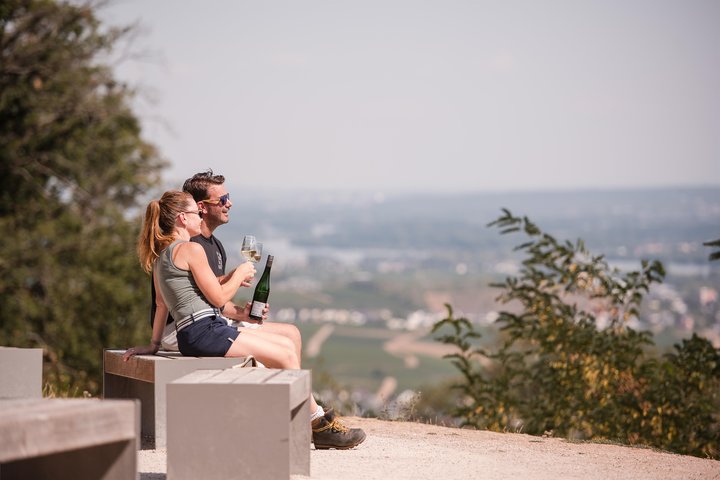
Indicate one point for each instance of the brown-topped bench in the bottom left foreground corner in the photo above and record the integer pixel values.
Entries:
(69, 438)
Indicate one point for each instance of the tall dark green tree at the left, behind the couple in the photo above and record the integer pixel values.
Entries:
(72, 164)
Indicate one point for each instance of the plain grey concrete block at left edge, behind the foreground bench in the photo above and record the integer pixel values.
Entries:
(20, 372)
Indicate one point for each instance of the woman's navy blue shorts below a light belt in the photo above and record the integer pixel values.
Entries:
(207, 337)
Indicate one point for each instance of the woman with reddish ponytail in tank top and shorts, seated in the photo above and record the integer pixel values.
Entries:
(192, 293)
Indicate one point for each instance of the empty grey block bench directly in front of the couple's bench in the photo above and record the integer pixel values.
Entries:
(239, 423)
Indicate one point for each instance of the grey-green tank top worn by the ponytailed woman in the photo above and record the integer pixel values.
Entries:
(179, 290)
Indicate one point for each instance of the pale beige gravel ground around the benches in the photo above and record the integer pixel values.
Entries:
(401, 450)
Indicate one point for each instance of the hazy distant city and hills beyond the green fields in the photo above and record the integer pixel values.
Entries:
(377, 259)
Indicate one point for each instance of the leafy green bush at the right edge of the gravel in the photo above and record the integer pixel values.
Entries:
(570, 363)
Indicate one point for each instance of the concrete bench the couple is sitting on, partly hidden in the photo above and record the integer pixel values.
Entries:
(145, 376)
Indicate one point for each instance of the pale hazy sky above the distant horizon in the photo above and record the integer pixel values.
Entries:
(438, 95)
